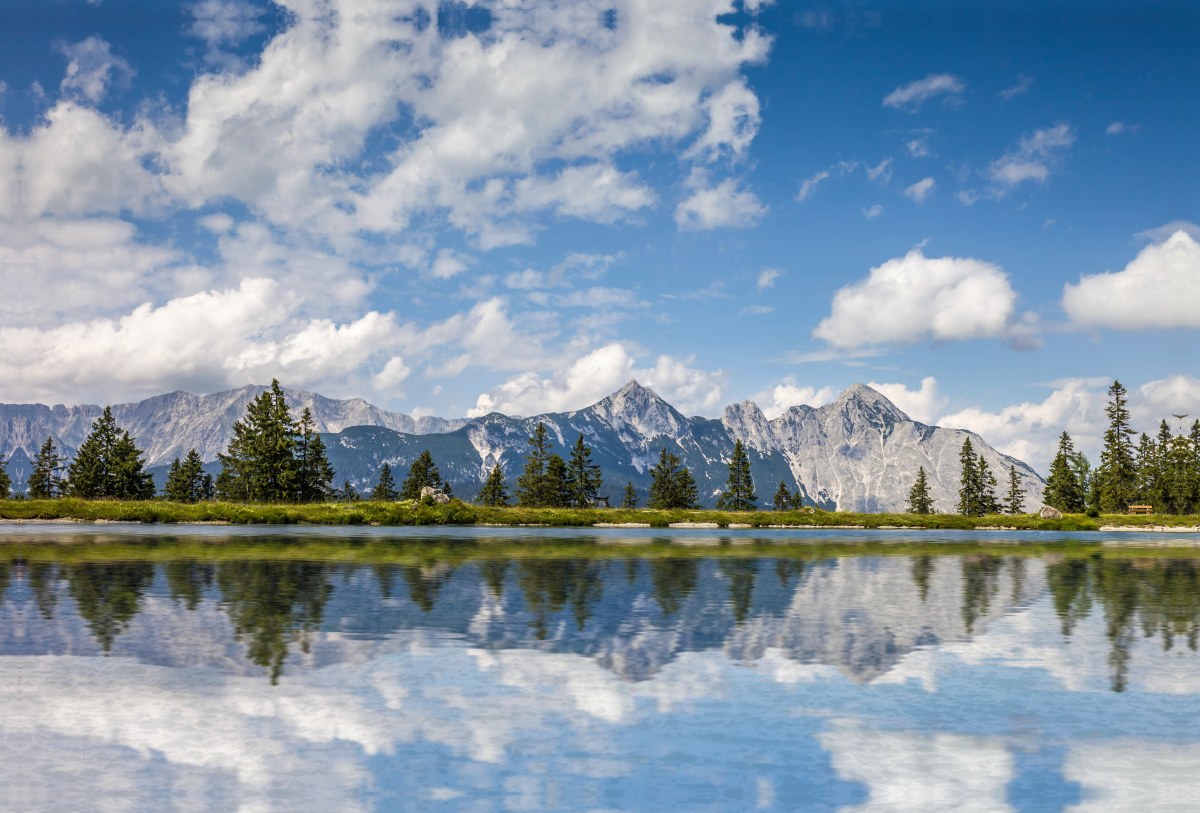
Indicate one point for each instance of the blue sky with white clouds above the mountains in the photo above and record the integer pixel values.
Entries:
(449, 209)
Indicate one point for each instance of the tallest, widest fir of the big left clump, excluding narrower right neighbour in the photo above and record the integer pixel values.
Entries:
(261, 463)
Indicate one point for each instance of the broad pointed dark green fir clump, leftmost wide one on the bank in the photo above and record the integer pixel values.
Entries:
(109, 465)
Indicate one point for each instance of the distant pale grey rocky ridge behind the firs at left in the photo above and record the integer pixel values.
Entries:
(171, 425)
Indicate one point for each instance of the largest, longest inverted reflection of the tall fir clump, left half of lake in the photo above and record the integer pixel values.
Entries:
(274, 605)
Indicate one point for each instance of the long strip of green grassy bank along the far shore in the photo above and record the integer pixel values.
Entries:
(461, 514)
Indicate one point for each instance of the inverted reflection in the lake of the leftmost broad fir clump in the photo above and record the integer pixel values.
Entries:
(107, 597)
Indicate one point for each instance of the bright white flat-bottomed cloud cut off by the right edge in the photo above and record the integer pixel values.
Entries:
(1160, 288)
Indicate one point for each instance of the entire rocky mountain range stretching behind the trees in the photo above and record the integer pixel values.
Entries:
(859, 454)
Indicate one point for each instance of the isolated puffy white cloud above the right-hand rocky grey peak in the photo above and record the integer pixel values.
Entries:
(919, 299)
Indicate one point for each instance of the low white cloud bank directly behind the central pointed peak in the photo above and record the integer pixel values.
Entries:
(601, 374)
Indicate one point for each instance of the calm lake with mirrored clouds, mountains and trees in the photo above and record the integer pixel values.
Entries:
(547, 670)
